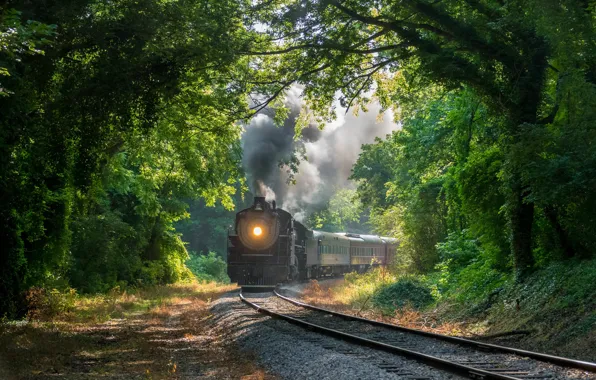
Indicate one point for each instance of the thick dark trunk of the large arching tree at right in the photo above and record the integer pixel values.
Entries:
(521, 220)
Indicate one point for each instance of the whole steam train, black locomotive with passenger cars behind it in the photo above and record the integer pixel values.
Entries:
(269, 246)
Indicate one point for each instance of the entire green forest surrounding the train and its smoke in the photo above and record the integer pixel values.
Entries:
(121, 127)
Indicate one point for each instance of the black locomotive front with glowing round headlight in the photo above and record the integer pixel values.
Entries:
(267, 247)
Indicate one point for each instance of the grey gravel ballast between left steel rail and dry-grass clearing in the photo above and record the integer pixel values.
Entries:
(295, 353)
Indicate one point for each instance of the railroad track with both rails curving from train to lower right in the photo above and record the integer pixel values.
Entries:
(456, 355)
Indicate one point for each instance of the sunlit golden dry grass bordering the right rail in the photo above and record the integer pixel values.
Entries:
(347, 298)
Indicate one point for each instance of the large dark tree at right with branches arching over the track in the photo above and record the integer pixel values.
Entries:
(500, 51)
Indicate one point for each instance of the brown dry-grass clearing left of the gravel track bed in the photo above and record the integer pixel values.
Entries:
(158, 333)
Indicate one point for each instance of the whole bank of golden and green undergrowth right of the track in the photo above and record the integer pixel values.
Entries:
(554, 307)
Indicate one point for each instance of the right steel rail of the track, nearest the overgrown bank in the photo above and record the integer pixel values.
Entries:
(565, 362)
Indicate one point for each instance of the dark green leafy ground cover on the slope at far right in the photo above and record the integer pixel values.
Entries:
(557, 302)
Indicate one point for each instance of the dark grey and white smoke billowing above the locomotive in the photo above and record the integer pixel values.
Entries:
(331, 154)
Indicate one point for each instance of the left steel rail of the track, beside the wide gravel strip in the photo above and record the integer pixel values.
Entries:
(433, 361)
